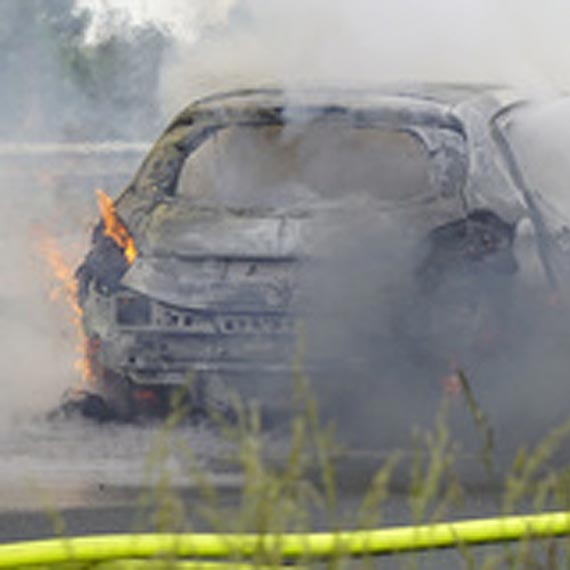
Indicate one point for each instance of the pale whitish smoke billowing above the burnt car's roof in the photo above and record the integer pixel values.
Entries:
(285, 43)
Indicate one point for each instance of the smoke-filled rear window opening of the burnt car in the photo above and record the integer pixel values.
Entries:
(284, 165)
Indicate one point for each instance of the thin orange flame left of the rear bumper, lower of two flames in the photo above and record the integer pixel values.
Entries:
(67, 288)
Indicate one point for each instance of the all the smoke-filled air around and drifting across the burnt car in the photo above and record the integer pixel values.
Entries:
(384, 333)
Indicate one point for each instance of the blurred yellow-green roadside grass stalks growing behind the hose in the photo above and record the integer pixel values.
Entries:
(298, 492)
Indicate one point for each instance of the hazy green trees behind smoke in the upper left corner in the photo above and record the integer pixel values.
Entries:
(57, 86)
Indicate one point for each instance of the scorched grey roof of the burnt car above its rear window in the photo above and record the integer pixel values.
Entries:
(455, 106)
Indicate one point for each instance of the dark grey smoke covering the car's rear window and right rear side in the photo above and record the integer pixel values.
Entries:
(394, 295)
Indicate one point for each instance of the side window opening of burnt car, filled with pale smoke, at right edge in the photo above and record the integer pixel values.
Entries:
(539, 136)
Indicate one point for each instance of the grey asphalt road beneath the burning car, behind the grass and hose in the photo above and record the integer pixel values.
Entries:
(72, 477)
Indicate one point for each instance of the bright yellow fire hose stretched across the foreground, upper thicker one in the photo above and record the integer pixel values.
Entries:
(287, 547)
